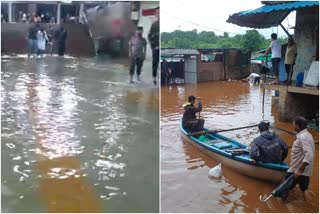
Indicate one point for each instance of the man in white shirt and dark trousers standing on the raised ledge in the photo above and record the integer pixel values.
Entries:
(275, 48)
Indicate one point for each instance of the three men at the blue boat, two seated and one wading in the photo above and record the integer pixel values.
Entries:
(268, 147)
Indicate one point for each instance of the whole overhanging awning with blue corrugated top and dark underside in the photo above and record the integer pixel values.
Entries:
(268, 15)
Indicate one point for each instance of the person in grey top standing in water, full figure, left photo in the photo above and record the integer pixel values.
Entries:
(137, 53)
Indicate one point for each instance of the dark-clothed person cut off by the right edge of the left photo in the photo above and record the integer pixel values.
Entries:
(153, 38)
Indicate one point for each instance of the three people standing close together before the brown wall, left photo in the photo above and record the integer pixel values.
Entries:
(38, 40)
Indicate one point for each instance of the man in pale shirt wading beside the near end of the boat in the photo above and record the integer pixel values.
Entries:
(302, 157)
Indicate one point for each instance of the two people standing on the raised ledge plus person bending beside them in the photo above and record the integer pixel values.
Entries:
(275, 48)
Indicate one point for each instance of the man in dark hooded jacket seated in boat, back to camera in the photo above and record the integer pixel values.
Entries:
(268, 147)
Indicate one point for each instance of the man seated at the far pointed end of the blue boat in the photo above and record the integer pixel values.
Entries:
(189, 119)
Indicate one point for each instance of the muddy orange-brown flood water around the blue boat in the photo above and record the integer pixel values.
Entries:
(185, 186)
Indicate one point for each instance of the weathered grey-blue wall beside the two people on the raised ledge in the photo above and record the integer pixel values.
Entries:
(306, 37)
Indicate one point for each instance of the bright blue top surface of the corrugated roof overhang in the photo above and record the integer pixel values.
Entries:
(278, 7)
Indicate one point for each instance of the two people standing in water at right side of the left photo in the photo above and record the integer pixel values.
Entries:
(137, 50)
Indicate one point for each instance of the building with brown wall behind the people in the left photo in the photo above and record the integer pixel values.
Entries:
(99, 26)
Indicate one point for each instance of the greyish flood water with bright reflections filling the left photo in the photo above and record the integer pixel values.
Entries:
(77, 137)
